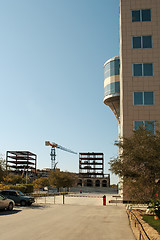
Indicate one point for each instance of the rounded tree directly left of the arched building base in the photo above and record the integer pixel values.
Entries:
(62, 179)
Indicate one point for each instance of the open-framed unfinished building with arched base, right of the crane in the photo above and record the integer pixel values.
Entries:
(91, 170)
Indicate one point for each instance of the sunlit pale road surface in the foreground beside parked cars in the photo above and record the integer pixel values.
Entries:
(69, 222)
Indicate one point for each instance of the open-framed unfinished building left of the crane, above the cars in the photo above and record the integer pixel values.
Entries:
(20, 162)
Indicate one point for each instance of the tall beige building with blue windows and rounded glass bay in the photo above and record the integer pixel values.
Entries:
(132, 80)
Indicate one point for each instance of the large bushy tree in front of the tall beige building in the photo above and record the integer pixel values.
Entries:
(139, 164)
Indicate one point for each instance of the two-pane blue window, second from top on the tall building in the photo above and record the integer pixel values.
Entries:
(142, 42)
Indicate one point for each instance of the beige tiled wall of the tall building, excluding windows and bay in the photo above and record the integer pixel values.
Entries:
(129, 113)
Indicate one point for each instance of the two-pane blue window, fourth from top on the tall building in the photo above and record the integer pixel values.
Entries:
(143, 98)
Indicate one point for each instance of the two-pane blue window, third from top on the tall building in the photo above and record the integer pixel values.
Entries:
(142, 69)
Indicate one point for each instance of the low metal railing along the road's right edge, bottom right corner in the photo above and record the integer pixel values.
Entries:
(137, 226)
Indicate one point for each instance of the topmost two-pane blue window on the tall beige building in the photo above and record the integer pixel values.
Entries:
(141, 15)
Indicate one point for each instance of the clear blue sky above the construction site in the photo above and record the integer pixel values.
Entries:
(51, 71)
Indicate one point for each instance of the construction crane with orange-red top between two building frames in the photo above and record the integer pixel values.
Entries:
(53, 152)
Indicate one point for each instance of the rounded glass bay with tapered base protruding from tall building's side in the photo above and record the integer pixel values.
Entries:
(112, 85)
